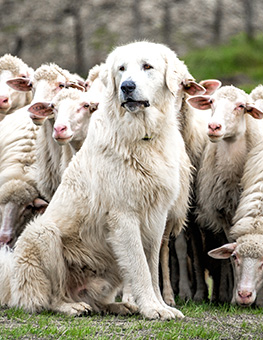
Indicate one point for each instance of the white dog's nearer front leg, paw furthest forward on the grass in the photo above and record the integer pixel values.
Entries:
(126, 242)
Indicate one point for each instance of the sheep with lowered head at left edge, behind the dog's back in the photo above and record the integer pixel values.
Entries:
(19, 198)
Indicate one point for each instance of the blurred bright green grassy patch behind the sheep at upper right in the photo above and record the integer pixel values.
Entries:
(239, 60)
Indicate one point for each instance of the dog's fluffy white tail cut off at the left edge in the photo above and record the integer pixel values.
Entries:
(6, 270)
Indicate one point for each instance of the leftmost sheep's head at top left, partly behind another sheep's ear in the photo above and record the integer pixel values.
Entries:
(10, 99)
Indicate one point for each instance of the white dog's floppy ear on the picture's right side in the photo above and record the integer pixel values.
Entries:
(176, 71)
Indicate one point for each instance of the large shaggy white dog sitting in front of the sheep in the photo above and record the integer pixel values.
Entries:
(104, 225)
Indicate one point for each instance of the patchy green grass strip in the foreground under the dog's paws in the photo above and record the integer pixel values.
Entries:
(203, 321)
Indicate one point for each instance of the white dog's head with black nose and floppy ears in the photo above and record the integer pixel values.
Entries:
(139, 74)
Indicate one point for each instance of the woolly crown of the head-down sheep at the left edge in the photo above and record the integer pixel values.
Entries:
(17, 191)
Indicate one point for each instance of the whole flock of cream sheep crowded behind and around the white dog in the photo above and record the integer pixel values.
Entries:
(46, 115)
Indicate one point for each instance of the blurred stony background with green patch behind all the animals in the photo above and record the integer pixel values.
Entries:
(216, 38)
